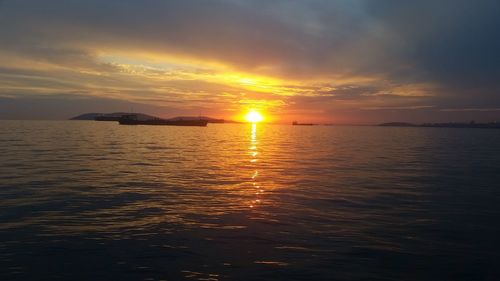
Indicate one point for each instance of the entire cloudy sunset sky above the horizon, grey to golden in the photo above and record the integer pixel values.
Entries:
(329, 61)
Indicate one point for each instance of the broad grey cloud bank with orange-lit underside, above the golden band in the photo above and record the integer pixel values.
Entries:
(263, 37)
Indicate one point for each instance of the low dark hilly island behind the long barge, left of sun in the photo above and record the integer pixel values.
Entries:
(141, 116)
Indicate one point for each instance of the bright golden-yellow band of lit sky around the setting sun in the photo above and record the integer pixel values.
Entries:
(192, 84)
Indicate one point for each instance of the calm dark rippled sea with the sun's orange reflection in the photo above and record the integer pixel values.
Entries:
(97, 201)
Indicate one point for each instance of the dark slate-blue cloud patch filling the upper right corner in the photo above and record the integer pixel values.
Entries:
(455, 43)
